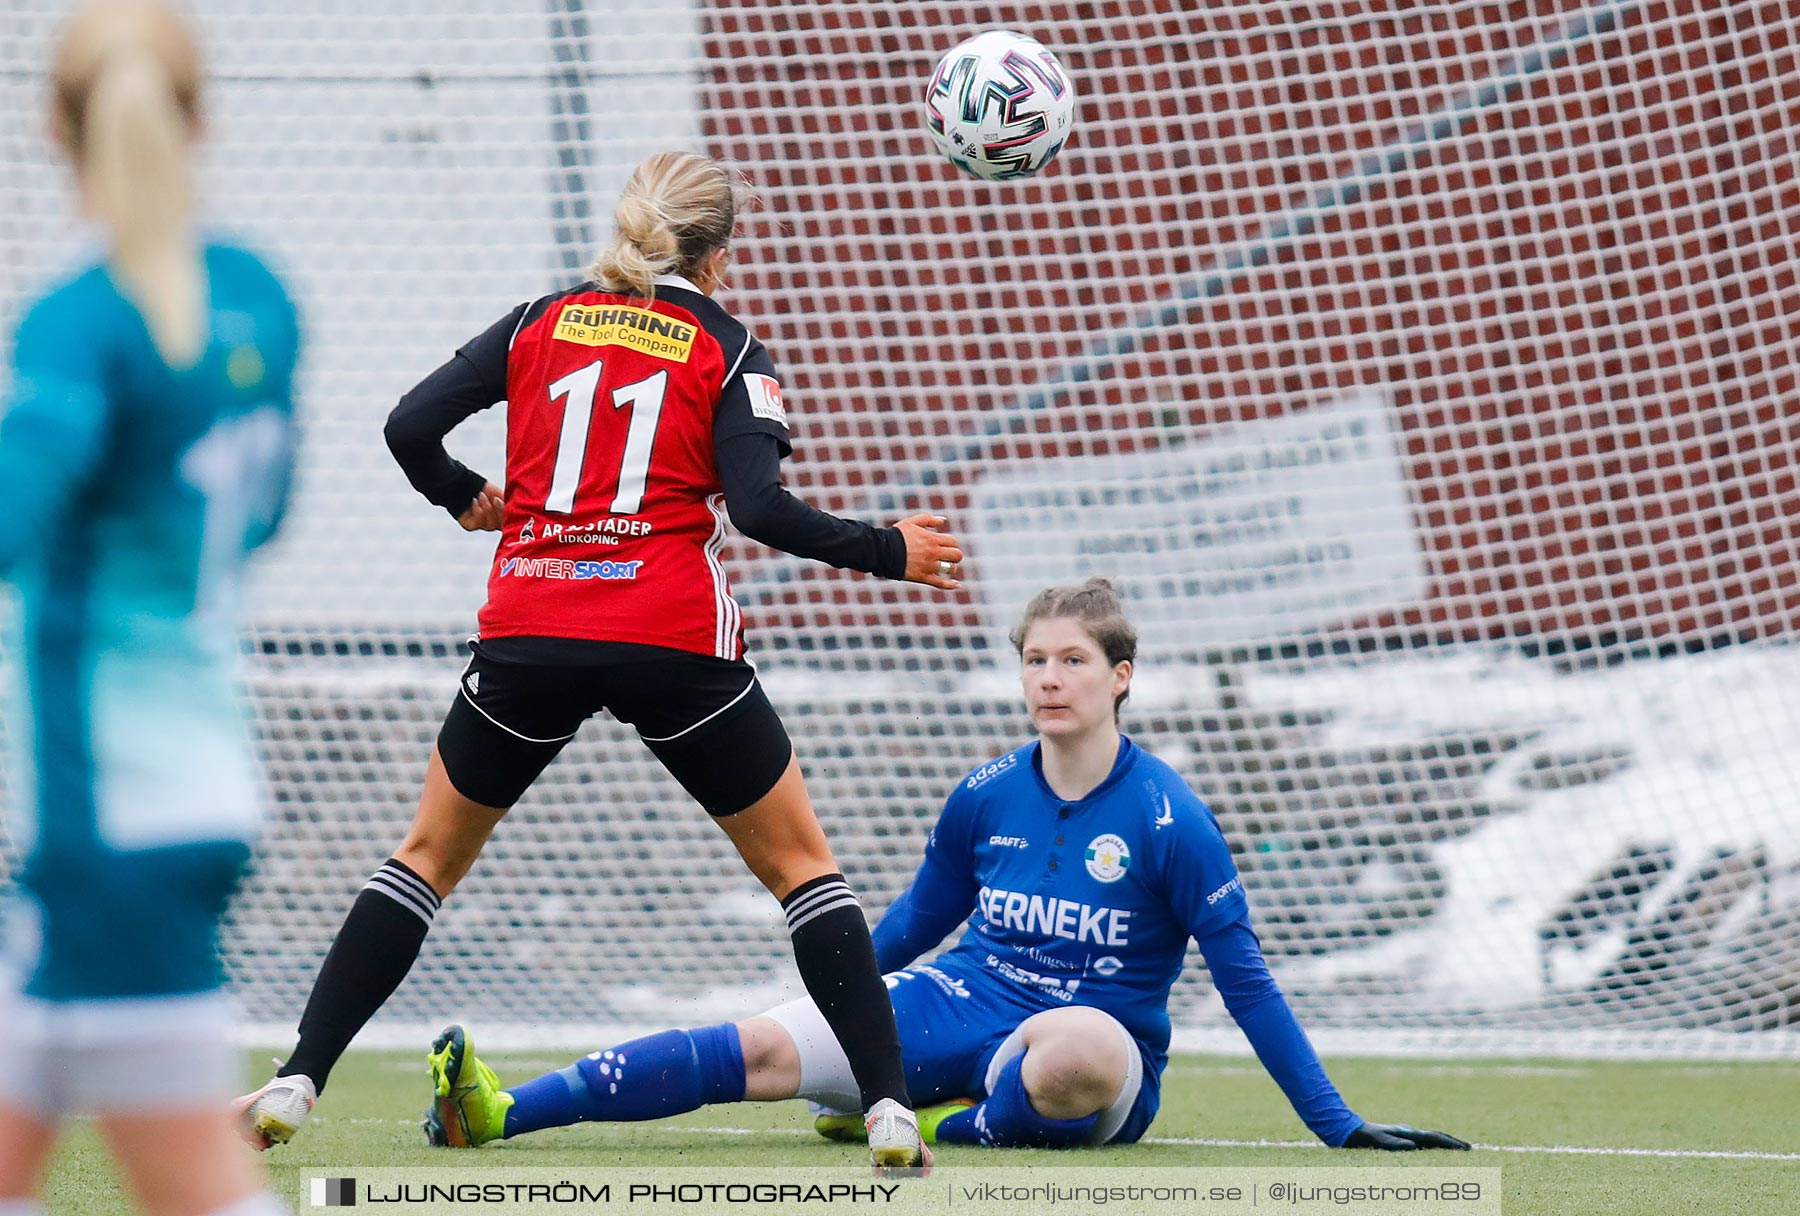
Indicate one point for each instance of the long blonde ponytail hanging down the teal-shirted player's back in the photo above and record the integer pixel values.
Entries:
(136, 172)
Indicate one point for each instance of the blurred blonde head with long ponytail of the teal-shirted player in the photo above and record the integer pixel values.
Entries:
(127, 103)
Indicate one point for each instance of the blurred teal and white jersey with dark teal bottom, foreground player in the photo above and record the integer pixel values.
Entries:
(136, 492)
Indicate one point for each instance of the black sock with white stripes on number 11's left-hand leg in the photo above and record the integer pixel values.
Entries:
(372, 956)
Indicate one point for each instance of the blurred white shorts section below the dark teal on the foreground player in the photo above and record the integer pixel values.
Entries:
(116, 1057)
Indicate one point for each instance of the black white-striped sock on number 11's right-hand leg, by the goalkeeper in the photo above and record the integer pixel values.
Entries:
(838, 965)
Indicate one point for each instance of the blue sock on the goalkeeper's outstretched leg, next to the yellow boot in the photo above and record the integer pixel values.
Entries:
(649, 1078)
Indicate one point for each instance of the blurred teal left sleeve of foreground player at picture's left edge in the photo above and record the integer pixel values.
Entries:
(55, 429)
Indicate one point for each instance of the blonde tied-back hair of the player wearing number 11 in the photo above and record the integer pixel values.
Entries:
(676, 210)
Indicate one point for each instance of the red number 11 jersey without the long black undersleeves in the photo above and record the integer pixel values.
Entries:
(615, 512)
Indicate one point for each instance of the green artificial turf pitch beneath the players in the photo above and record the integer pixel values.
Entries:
(1522, 1116)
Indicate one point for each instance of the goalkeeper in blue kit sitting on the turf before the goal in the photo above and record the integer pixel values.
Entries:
(1083, 866)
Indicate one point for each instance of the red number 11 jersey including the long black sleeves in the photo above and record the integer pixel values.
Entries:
(618, 415)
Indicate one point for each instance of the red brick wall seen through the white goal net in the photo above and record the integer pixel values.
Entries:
(1583, 303)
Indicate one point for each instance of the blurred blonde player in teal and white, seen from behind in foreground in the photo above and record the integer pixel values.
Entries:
(147, 452)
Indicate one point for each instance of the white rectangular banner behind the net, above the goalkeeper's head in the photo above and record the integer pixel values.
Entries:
(1261, 532)
